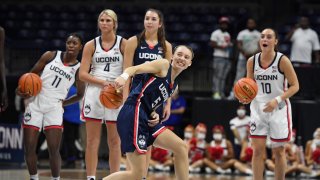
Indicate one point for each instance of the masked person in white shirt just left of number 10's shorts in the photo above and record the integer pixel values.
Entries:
(239, 126)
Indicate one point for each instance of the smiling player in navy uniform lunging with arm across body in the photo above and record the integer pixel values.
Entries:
(136, 130)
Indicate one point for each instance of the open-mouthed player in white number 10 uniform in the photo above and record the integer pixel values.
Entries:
(271, 109)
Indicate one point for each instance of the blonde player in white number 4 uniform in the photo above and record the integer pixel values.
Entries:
(105, 56)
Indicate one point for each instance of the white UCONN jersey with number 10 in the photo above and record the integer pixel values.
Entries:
(271, 82)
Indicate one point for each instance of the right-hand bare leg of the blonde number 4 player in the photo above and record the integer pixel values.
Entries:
(114, 147)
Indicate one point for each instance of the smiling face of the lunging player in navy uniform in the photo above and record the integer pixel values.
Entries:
(182, 57)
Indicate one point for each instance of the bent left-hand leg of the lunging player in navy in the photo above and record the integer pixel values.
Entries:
(138, 165)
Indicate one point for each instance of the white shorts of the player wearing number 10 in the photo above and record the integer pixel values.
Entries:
(276, 124)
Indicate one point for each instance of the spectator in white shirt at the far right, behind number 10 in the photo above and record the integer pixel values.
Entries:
(304, 42)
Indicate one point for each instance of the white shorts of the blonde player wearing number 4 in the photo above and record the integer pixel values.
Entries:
(92, 109)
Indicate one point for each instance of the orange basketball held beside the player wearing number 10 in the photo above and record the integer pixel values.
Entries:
(245, 90)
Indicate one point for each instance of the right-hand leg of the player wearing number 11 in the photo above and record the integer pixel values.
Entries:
(53, 137)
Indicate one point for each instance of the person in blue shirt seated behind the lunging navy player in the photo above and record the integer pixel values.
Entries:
(178, 107)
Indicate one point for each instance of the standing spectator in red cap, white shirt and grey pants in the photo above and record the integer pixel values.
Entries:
(221, 42)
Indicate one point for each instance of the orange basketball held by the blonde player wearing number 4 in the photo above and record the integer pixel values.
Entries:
(110, 97)
